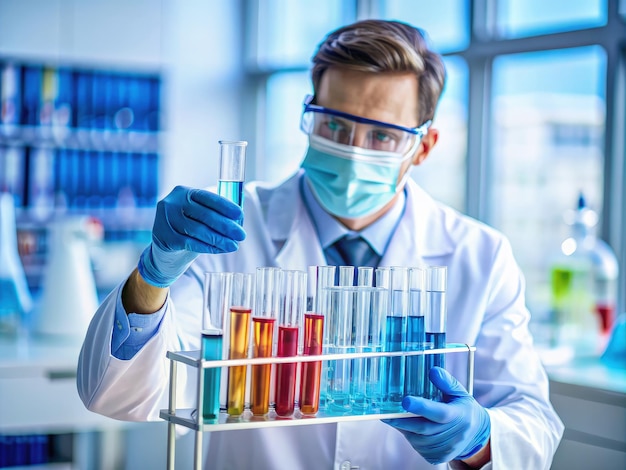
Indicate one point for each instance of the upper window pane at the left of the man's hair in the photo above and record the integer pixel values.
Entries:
(289, 32)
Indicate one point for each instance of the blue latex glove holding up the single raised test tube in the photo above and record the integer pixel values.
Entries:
(188, 222)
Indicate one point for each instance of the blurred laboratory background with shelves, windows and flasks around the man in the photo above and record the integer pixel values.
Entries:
(107, 105)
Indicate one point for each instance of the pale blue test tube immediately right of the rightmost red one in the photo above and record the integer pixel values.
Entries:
(342, 304)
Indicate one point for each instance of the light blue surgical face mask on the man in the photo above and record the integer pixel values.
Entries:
(352, 182)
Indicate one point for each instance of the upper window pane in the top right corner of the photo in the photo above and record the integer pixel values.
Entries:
(518, 18)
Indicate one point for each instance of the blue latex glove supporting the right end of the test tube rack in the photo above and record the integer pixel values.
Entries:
(454, 429)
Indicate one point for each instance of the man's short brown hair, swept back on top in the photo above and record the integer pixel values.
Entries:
(384, 46)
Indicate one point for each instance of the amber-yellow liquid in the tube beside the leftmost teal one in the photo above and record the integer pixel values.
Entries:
(239, 334)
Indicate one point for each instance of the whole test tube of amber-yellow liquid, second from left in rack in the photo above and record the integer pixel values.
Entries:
(240, 311)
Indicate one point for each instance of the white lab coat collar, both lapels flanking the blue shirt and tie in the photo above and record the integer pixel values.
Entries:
(422, 232)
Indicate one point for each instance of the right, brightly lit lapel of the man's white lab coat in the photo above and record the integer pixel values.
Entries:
(421, 236)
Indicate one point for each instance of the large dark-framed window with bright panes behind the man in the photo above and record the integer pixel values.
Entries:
(526, 119)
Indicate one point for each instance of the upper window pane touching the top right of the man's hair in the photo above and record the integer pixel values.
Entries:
(445, 21)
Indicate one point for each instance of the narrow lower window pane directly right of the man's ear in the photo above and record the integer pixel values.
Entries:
(442, 174)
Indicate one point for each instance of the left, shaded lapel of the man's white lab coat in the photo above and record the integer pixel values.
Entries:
(292, 229)
